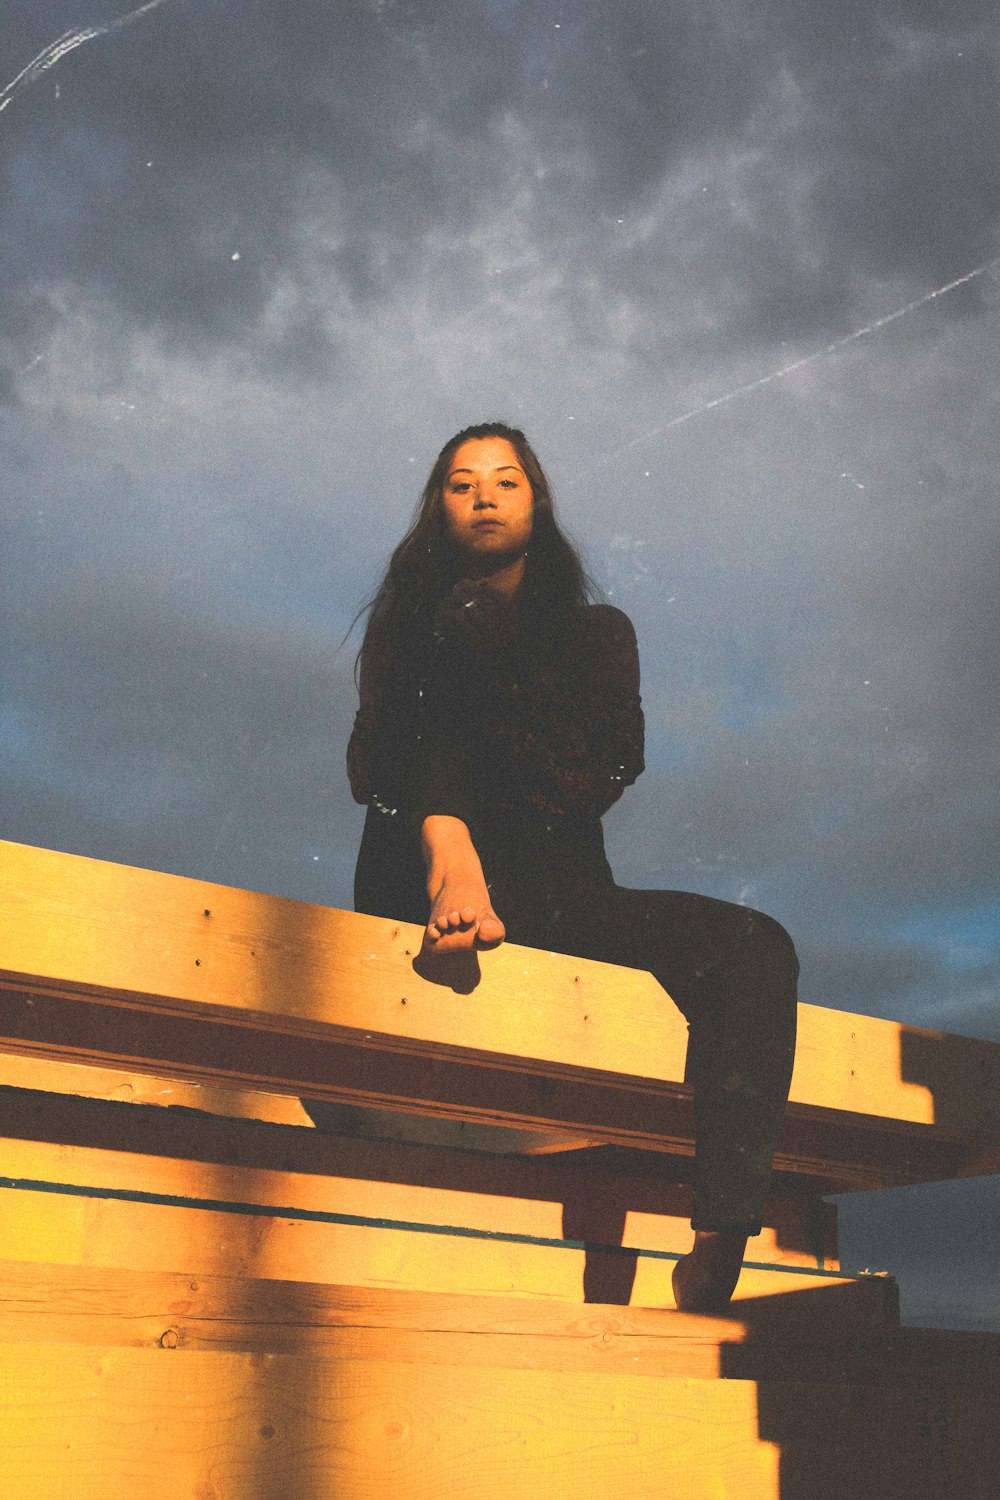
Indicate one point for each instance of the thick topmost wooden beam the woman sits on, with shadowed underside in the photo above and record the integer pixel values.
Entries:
(209, 986)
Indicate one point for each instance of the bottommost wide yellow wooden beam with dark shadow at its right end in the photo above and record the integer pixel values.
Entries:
(106, 1423)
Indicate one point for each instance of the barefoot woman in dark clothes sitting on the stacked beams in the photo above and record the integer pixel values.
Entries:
(500, 719)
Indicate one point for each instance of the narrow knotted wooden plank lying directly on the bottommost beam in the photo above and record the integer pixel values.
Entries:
(597, 1345)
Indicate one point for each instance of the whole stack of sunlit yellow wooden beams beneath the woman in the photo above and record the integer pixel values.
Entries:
(289, 1213)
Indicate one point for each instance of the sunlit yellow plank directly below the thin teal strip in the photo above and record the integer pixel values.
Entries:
(161, 1237)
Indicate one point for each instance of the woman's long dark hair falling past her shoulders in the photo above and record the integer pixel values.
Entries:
(425, 566)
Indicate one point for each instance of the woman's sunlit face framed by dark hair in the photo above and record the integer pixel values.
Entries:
(488, 503)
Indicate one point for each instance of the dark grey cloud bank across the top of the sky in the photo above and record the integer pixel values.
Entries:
(344, 151)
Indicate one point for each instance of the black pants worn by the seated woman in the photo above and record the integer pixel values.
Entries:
(732, 973)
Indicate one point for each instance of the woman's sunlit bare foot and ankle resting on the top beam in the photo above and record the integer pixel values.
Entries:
(461, 913)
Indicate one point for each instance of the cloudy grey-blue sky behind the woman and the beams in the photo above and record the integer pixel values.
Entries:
(734, 268)
